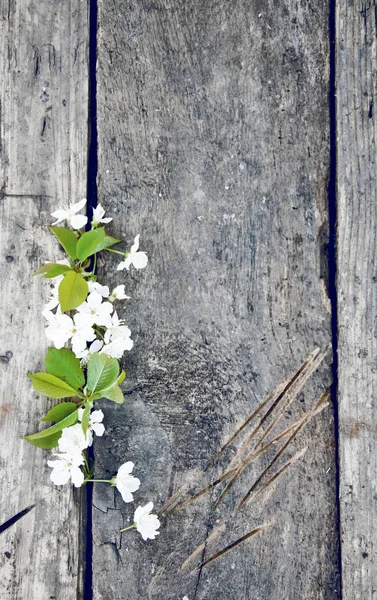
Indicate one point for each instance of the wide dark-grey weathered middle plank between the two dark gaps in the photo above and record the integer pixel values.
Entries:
(213, 145)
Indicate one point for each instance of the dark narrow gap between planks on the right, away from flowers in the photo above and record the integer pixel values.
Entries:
(332, 257)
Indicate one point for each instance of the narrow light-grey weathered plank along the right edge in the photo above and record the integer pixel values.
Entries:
(357, 294)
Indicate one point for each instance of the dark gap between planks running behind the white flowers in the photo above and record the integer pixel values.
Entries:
(92, 169)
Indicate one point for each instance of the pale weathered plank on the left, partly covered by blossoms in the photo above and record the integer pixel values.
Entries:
(43, 71)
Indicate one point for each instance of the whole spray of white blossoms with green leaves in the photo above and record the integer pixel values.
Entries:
(88, 370)
